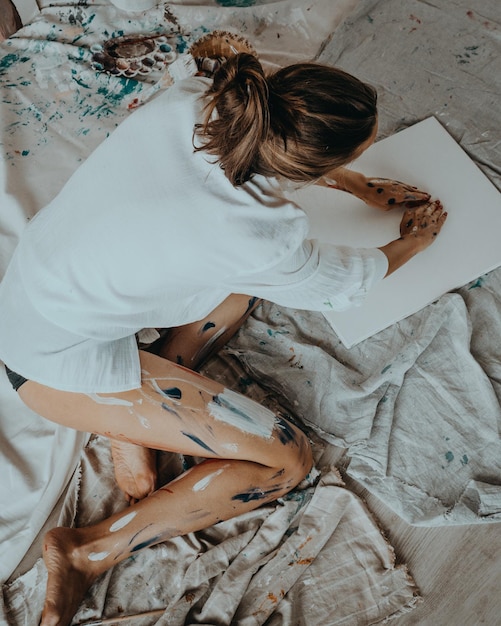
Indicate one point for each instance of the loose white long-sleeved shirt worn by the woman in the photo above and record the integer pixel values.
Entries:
(147, 233)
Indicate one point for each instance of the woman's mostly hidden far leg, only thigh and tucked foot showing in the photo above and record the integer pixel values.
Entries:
(189, 345)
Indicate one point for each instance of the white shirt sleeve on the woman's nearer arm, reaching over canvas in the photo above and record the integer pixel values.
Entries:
(319, 276)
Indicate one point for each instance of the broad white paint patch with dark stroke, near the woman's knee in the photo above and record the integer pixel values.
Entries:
(242, 413)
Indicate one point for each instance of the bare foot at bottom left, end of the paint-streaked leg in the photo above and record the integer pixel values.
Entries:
(67, 583)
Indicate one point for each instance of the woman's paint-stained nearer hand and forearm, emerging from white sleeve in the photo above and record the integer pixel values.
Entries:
(418, 229)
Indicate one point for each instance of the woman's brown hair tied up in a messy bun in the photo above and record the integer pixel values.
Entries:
(298, 123)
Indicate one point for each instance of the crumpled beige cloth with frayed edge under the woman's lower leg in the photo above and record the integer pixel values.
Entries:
(314, 558)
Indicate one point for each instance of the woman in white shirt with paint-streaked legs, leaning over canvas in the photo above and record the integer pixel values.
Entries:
(177, 221)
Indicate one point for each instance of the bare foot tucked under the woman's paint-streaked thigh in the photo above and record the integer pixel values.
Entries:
(135, 469)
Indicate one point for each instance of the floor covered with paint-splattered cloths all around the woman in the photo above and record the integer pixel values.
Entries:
(400, 519)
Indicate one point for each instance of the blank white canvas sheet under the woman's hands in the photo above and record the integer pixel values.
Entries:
(468, 246)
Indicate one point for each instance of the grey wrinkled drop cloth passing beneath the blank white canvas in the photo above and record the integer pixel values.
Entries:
(417, 407)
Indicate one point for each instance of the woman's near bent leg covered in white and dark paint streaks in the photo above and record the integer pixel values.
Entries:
(253, 456)
